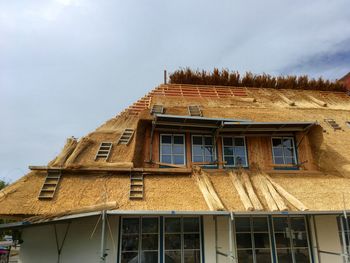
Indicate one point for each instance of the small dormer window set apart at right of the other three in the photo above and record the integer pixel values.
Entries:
(283, 150)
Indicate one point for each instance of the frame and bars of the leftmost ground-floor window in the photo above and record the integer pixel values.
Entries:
(140, 236)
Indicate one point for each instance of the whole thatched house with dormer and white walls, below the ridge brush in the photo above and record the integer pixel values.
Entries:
(195, 174)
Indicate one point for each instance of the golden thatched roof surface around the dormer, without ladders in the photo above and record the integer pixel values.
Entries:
(318, 191)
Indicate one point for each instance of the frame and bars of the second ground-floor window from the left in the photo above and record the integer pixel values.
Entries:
(182, 236)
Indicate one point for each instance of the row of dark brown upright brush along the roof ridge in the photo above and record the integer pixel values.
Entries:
(225, 77)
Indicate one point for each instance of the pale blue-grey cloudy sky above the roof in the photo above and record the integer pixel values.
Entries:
(66, 66)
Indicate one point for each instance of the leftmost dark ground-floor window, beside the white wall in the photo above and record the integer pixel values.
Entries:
(139, 240)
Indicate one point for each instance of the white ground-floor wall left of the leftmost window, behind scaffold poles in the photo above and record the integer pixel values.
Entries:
(40, 244)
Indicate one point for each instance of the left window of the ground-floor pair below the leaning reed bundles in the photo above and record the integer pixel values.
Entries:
(253, 239)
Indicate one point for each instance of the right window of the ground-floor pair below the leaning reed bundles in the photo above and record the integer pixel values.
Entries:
(291, 239)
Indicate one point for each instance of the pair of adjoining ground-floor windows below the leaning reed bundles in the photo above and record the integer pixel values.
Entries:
(261, 239)
